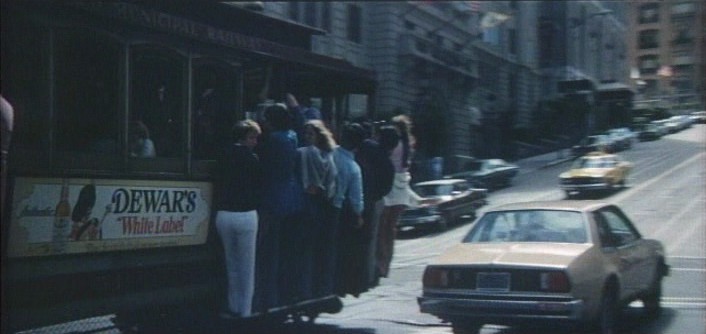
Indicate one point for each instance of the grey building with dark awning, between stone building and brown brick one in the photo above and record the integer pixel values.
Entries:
(583, 59)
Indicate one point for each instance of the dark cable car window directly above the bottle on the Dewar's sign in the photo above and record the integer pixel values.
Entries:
(87, 93)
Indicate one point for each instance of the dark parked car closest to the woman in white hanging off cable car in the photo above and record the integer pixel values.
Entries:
(443, 203)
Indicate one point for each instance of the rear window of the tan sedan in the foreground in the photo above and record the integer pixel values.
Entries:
(529, 226)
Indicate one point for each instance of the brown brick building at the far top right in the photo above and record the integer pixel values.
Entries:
(666, 53)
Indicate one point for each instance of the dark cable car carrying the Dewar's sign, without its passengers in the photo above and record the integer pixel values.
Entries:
(91, 227)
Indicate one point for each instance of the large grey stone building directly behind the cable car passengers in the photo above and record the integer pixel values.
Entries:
(465, 71)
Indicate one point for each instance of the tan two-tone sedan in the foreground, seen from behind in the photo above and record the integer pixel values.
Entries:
(539, 264)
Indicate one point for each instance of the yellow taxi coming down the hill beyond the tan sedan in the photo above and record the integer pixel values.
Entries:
(596, 171)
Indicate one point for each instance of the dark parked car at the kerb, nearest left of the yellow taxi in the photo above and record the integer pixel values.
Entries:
(487, 173)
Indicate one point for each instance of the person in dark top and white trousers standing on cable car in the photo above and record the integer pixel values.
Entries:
(238, 196)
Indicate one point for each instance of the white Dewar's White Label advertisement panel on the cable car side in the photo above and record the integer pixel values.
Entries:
(65, 216)
